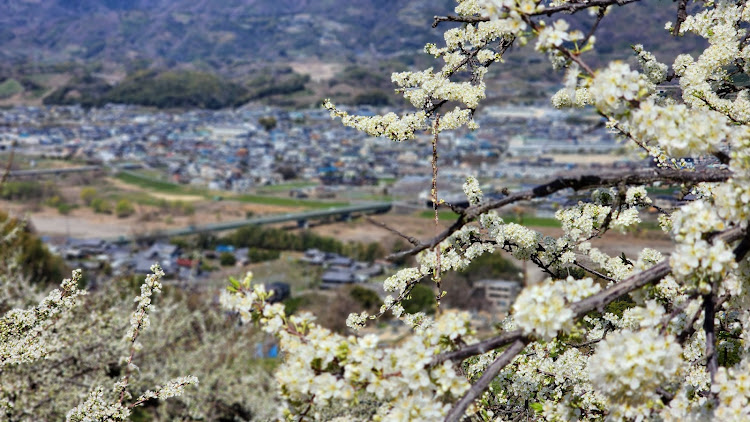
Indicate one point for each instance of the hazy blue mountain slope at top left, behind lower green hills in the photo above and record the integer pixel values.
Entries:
(212, 31)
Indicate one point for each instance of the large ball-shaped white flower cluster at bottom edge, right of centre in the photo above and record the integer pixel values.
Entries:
(628, 366)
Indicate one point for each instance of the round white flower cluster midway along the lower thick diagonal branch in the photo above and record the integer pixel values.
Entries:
(542, 309)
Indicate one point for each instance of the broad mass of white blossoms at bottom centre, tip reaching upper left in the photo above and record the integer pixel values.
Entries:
(322, 366)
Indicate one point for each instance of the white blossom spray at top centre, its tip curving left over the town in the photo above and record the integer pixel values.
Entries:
(426, 88)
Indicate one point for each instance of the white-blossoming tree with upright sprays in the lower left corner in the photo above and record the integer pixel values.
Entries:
(37, 334)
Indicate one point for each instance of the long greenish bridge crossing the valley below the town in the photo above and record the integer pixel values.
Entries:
(301, 218)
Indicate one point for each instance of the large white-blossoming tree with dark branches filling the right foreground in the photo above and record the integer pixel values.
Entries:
(563, 353)
